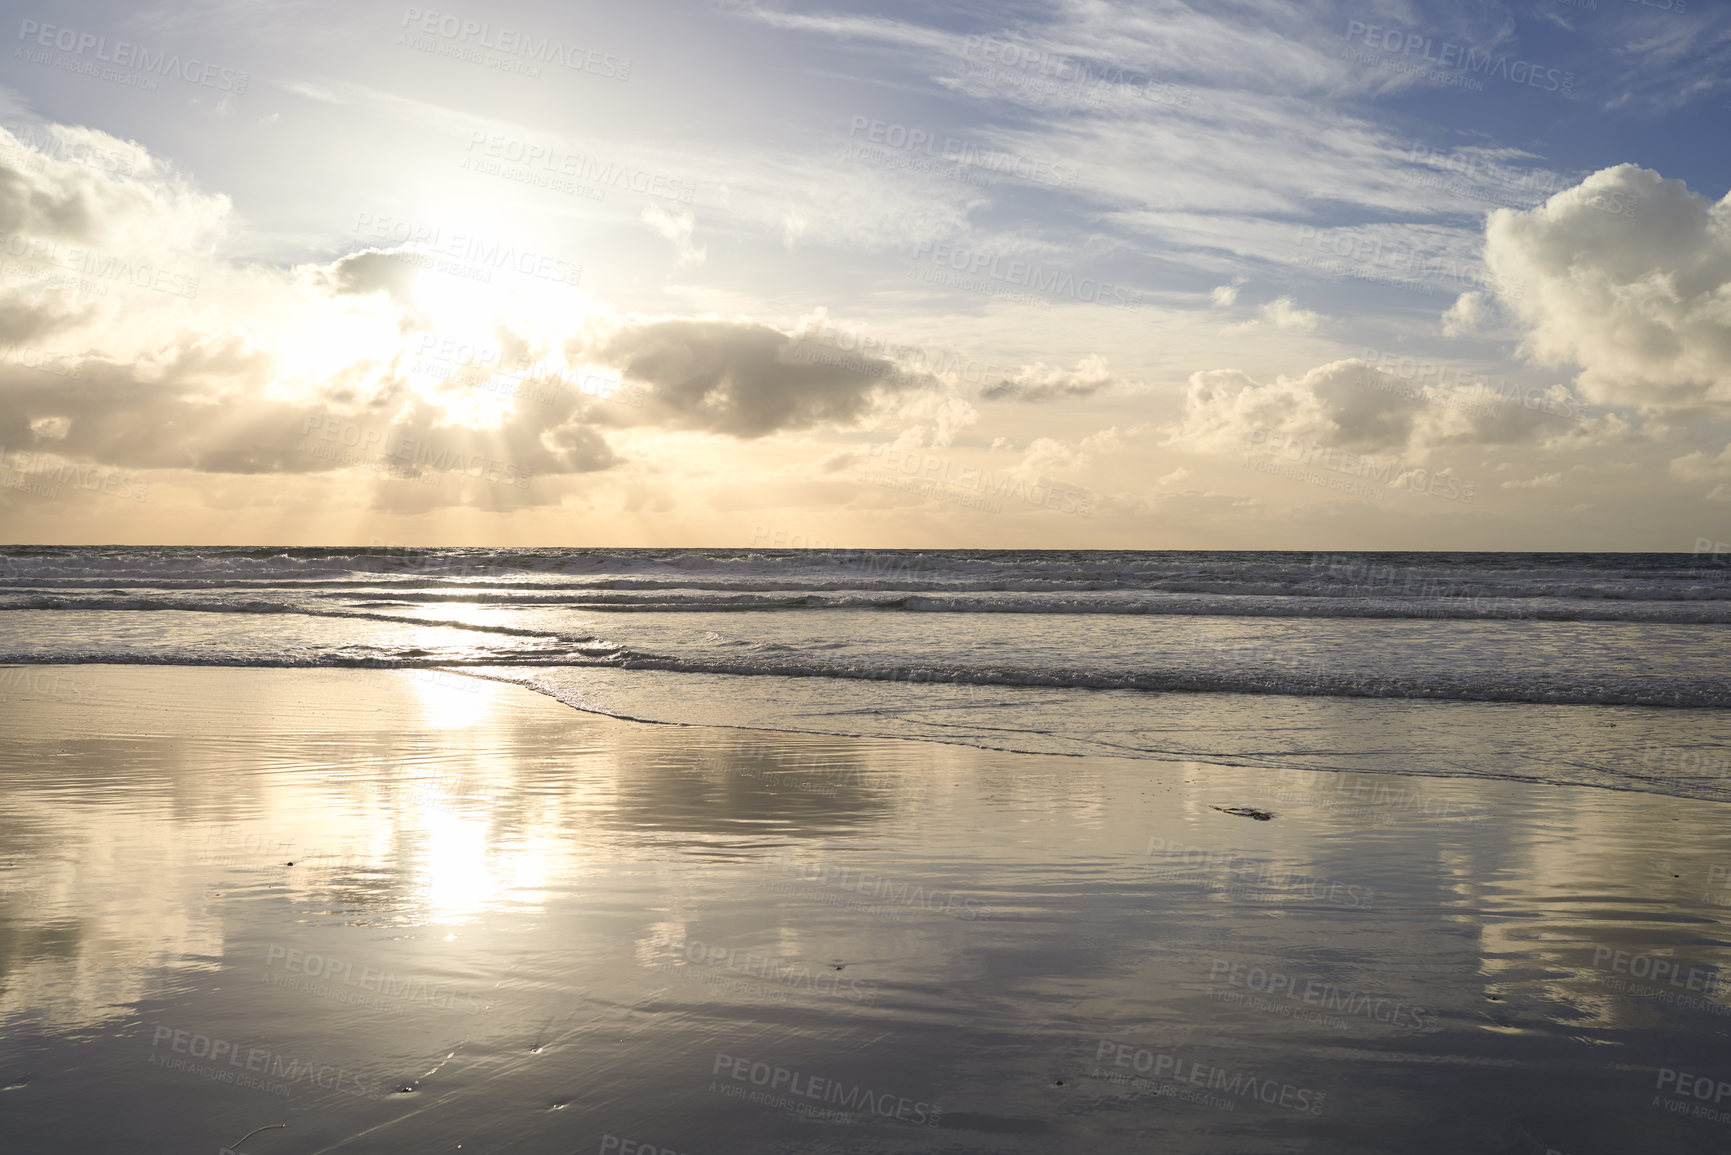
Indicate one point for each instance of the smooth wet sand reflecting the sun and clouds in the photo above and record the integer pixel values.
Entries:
(425, 913)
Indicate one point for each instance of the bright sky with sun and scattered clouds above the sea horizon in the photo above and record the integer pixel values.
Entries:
(731, 274)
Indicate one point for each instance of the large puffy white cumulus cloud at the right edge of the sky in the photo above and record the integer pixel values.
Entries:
(1626, 276)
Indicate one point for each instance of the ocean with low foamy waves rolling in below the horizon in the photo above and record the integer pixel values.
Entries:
(1574, 669)
